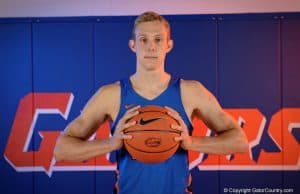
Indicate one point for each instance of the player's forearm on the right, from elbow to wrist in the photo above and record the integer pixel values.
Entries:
(231, 141)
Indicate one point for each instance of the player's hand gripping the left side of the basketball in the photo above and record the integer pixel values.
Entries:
(119, 136)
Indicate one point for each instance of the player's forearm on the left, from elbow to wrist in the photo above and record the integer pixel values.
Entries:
(75, 149)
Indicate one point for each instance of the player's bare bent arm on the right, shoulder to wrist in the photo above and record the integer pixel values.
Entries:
(199, 102)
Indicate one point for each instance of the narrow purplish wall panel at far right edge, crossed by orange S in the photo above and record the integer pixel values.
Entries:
(291, 99)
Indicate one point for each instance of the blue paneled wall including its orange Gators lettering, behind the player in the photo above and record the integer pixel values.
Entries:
(50, 67)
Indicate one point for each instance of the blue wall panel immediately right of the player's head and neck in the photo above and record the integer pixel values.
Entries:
(194, 58)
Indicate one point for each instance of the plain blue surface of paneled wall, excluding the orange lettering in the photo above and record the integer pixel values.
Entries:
(247, 61)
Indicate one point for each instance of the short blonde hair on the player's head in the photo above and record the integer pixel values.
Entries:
(150, 16)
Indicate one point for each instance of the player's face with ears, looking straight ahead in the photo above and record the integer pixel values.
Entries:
(151, 45)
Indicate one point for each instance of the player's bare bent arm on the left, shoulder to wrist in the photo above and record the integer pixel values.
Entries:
(72, 145)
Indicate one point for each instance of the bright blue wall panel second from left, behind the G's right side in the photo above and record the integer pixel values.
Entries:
(62, 62)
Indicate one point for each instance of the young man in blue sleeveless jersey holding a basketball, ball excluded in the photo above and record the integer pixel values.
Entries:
(151, 85)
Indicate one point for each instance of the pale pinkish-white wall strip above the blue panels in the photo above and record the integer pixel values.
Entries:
(54, 8)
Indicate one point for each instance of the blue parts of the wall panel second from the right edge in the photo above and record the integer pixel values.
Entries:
(249, 77)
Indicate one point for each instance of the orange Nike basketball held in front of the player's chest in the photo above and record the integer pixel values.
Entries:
(152, 137)
